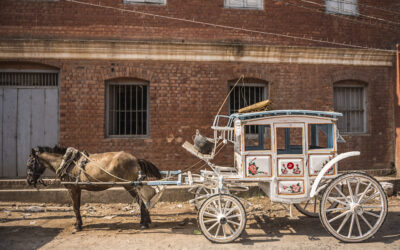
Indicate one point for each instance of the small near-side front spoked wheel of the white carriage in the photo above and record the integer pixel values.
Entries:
(222, 218)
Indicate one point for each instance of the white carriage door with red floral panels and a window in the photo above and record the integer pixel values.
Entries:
(290, 158)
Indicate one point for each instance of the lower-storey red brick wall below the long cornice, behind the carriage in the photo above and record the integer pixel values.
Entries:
(185, 96)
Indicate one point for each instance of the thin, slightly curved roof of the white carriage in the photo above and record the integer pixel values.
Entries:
(273, 113)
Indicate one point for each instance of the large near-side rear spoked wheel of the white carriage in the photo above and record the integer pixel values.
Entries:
(361, 210)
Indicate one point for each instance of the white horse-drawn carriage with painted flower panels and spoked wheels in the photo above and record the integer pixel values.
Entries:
(292, 155)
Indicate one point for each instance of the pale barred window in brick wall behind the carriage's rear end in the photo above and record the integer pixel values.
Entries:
(350, 101)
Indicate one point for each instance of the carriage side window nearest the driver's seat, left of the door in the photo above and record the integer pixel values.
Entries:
(259, 141)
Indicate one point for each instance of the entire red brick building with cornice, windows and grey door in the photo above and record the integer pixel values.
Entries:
(142, 75)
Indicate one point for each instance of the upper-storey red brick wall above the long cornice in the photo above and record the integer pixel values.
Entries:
(66, 20)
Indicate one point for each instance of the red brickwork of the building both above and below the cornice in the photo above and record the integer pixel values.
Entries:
(186, 95)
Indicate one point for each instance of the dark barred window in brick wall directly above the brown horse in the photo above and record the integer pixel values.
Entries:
(127, 108)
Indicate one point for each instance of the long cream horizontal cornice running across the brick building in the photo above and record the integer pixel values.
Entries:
(200, 52)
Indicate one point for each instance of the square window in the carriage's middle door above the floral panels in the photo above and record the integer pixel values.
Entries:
(289, 140)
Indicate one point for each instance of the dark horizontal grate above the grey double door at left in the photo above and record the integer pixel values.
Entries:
(28, 79)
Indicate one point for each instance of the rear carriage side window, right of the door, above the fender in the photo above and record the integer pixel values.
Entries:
(320, 136)
